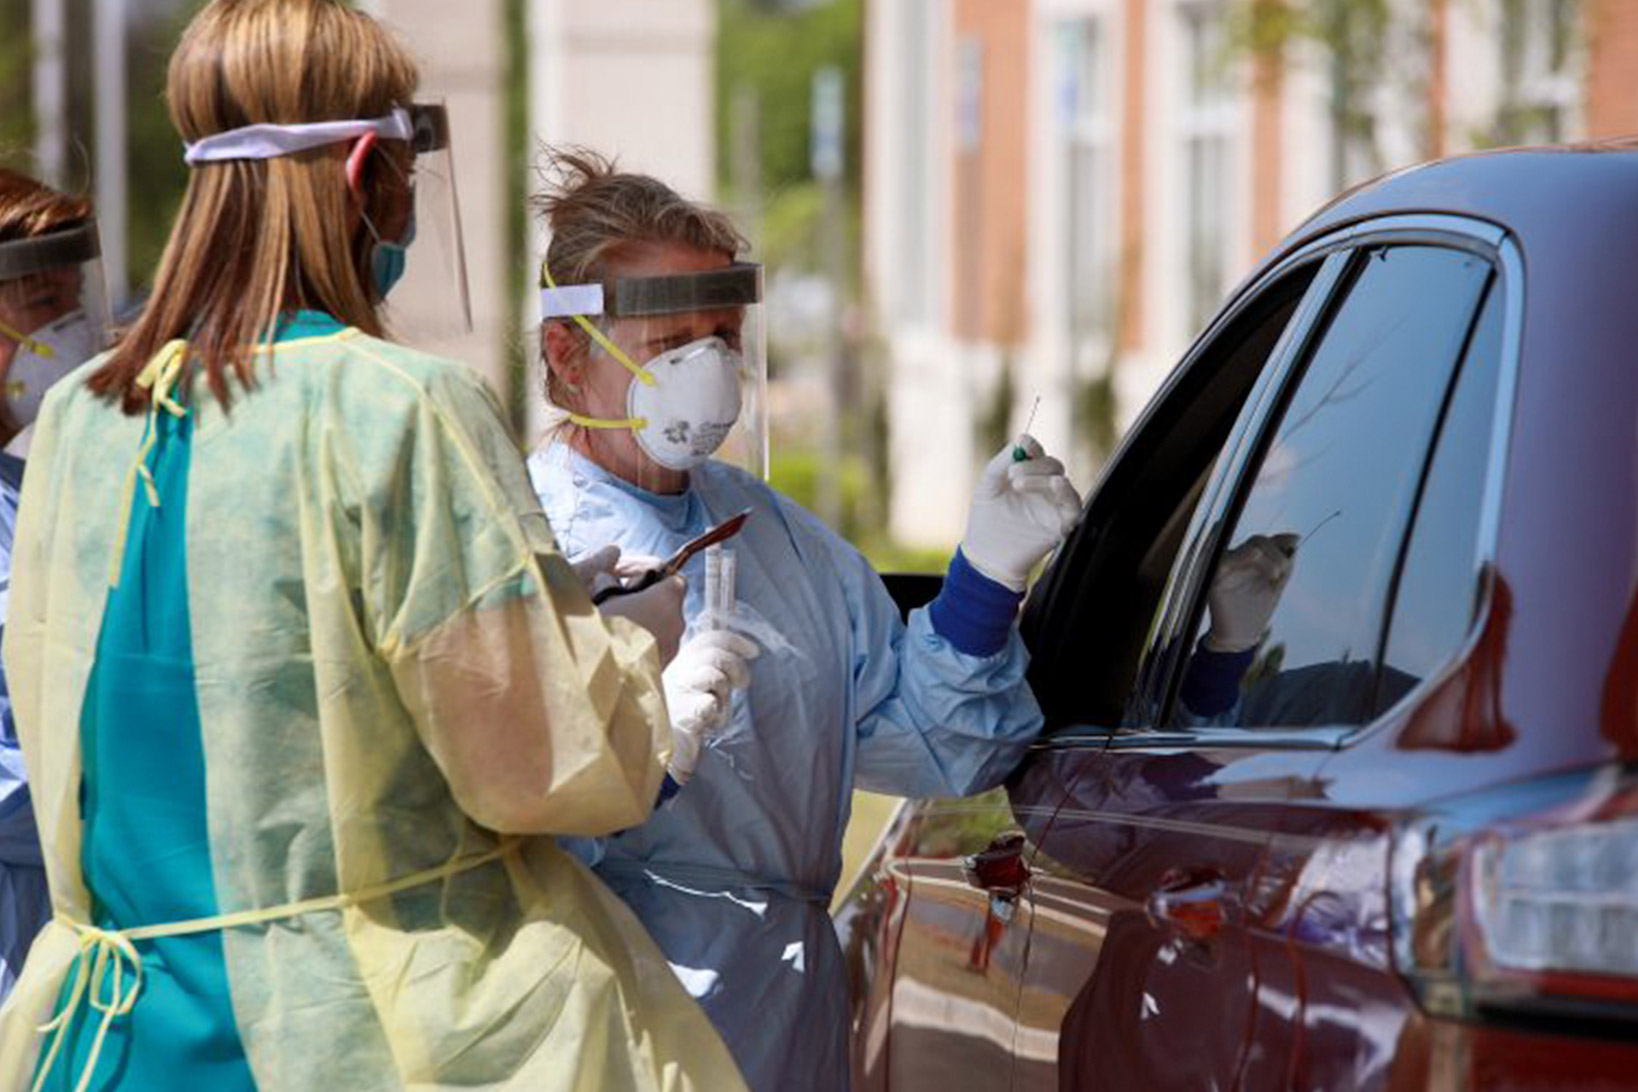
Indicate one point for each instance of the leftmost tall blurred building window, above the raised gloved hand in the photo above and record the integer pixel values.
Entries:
(1085, 137)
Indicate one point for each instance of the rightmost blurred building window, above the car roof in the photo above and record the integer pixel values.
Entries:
(1539, 91)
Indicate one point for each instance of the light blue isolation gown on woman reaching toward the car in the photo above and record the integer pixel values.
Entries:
(735, 875)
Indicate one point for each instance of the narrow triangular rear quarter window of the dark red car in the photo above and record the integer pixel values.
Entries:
(1439, 589)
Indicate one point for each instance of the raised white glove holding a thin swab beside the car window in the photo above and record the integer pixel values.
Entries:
(1021, 513)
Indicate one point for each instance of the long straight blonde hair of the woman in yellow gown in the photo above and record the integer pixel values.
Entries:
(261, 237)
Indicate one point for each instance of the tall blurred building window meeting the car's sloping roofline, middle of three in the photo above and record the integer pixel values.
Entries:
(1208, 119)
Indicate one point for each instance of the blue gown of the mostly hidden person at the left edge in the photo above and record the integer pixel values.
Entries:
(25, 901)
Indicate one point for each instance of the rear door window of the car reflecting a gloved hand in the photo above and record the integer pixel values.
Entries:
(1301, 585)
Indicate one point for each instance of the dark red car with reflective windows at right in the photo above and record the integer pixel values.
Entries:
(1403, 852)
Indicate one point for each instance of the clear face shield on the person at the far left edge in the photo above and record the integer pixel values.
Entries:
(53, 315)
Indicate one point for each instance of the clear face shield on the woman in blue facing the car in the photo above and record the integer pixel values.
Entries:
(656, 376)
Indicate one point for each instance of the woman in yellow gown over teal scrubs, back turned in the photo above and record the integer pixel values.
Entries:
(302, 680)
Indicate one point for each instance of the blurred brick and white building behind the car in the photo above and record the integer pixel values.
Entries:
(1061, 192)
